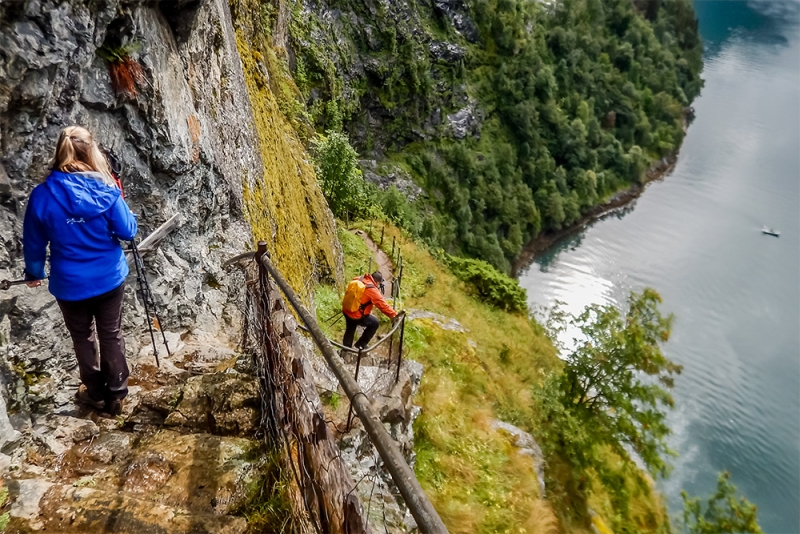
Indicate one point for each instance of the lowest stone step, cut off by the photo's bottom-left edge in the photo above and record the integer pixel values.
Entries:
(40, 505)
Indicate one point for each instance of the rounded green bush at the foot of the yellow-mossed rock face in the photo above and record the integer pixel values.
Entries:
(342, 184)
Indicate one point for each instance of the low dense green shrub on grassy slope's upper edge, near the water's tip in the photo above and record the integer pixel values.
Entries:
(494, 287)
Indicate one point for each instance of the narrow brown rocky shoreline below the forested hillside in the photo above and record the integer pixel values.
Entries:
(658, 170)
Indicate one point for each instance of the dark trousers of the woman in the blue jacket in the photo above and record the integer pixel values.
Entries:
(106, 376)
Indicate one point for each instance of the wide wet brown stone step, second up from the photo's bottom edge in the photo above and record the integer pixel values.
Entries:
(198, 472)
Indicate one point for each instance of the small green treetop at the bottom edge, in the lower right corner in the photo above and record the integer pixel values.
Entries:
(724, 513)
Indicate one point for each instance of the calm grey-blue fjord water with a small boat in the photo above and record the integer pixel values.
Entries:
(696, 238)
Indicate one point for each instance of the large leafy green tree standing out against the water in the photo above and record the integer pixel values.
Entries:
(616, 380)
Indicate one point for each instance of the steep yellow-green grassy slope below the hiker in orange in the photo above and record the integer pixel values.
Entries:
(475, 477)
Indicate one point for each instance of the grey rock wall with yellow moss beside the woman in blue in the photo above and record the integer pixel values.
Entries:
(194, 138)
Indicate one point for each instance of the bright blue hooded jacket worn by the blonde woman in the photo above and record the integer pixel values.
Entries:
(83, 219)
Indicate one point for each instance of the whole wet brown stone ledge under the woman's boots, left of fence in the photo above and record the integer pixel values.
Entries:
(181, 458)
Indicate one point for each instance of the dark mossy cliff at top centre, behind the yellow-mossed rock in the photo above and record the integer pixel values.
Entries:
(392, 72)
